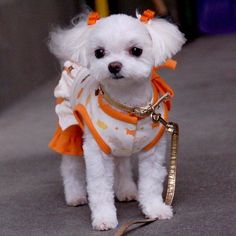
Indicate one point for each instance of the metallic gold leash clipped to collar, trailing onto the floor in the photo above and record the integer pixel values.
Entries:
(173, 129)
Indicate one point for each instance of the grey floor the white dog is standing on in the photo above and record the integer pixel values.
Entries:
(31, 194)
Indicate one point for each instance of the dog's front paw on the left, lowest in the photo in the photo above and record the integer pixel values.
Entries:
(104, 219)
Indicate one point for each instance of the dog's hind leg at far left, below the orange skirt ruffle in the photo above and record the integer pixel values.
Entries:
(73, 174)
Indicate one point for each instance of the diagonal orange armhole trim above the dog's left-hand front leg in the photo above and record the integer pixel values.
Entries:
(81, 110)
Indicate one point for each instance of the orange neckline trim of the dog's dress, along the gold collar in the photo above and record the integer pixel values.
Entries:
(130, 118)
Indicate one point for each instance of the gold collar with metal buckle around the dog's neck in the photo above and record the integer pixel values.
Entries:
(141, 112)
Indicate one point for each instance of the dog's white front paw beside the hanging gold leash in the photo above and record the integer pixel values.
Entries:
(159, 211)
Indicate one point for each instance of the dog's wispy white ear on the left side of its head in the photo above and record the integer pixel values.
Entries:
(70, 44)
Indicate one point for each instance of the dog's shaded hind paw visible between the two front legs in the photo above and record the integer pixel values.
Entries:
(127, 192)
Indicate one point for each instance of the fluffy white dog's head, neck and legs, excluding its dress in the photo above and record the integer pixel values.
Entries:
(119, 53)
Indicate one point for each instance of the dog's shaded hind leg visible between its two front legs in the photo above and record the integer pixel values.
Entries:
(125, 187)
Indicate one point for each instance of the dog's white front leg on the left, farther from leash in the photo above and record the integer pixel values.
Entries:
(100, 177)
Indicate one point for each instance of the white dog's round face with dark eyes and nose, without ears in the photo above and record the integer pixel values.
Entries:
(120, 49)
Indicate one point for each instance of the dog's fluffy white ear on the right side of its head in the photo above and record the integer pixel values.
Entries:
(167, 39)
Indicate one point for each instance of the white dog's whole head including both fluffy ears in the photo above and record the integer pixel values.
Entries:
(118, 48)
